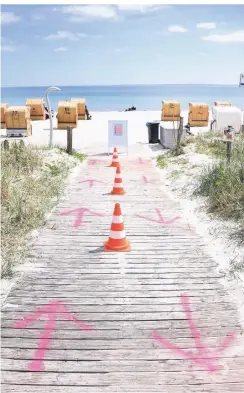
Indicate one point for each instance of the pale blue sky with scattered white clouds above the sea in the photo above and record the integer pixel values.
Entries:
(121, 44)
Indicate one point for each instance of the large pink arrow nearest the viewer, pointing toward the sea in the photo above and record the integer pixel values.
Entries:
(51, 310)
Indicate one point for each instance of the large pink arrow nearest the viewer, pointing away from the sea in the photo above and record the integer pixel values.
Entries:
(204, 356)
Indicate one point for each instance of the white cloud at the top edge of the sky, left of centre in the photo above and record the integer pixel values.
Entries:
(84, 12)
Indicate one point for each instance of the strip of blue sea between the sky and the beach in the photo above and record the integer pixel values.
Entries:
(119, 98)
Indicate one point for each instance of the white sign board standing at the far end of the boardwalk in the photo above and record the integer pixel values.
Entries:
(118, 134)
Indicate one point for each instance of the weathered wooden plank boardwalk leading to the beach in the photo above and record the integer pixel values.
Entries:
(123, 296)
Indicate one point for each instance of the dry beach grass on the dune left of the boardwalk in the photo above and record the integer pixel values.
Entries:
(30, 188)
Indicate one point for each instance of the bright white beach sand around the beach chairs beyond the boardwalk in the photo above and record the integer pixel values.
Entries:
(93, 134)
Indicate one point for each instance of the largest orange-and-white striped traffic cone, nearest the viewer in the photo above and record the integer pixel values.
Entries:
(117, 240)
